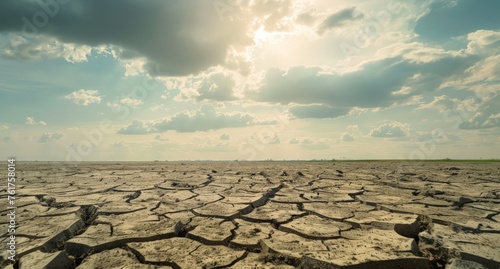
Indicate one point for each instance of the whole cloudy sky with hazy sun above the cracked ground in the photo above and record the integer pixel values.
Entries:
(130, 80)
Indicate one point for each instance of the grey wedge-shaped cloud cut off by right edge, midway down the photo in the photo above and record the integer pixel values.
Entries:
(486, 116)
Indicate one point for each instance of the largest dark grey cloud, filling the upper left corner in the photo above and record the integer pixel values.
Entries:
(177, 37)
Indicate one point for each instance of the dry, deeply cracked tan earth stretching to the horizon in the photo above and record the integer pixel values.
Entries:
(255, 215)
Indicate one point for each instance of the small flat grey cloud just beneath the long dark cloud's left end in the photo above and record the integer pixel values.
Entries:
(317, 111)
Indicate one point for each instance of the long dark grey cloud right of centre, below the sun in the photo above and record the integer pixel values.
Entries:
(377, 84)
